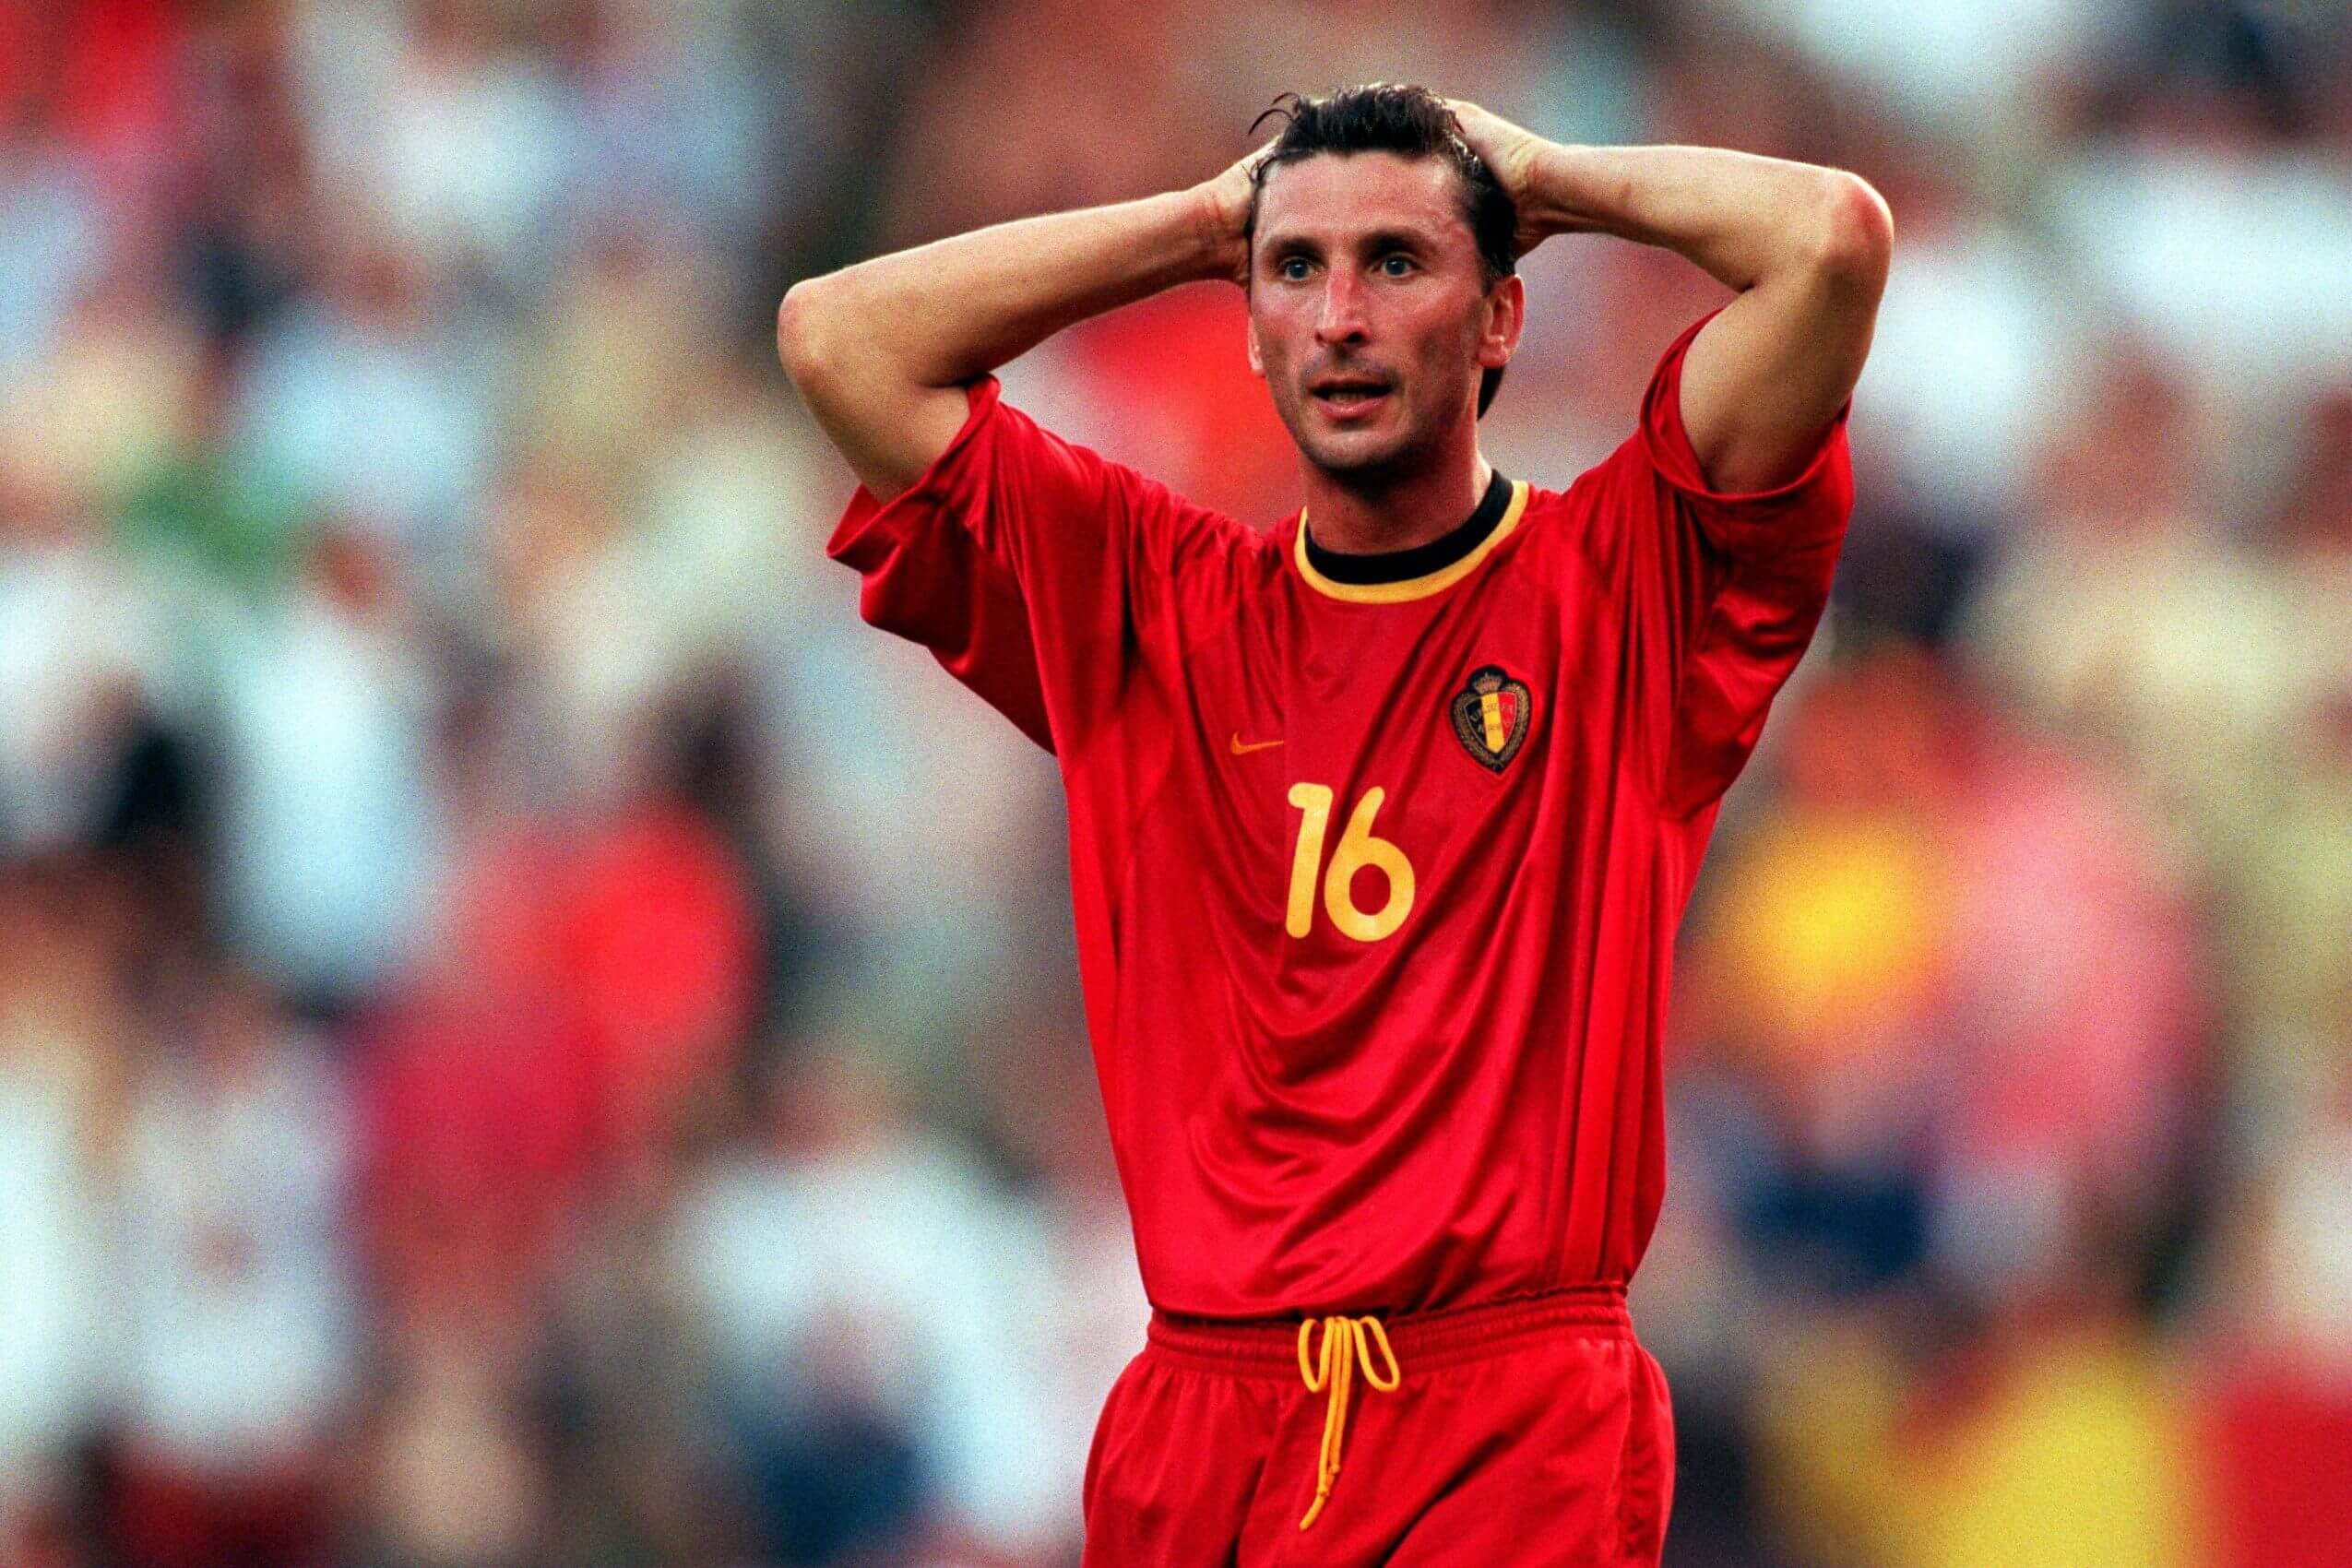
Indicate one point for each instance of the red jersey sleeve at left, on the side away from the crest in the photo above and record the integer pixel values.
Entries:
(1029, 568)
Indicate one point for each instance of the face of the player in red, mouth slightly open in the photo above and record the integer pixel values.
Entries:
(1368, 309)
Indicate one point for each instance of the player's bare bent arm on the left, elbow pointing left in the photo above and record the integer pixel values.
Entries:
(883, 351)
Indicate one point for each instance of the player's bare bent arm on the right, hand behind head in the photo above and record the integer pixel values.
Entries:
(1808, 250)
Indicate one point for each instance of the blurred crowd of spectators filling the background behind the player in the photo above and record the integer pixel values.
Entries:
(533, 1040)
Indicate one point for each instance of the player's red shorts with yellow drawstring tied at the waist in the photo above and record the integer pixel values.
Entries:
(1518, 1435)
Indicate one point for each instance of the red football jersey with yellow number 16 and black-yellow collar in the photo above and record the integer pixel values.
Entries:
(1377, 885)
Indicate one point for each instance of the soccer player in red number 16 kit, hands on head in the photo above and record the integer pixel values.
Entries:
(1382, 819)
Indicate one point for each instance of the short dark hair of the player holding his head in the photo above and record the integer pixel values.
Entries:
(1412, 123)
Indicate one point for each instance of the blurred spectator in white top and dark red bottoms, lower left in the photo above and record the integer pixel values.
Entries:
(239, 1355)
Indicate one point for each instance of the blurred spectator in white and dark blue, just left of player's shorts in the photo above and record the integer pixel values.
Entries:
(869, 1301)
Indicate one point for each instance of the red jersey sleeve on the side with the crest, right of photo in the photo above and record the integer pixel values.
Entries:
(1725, 589)
